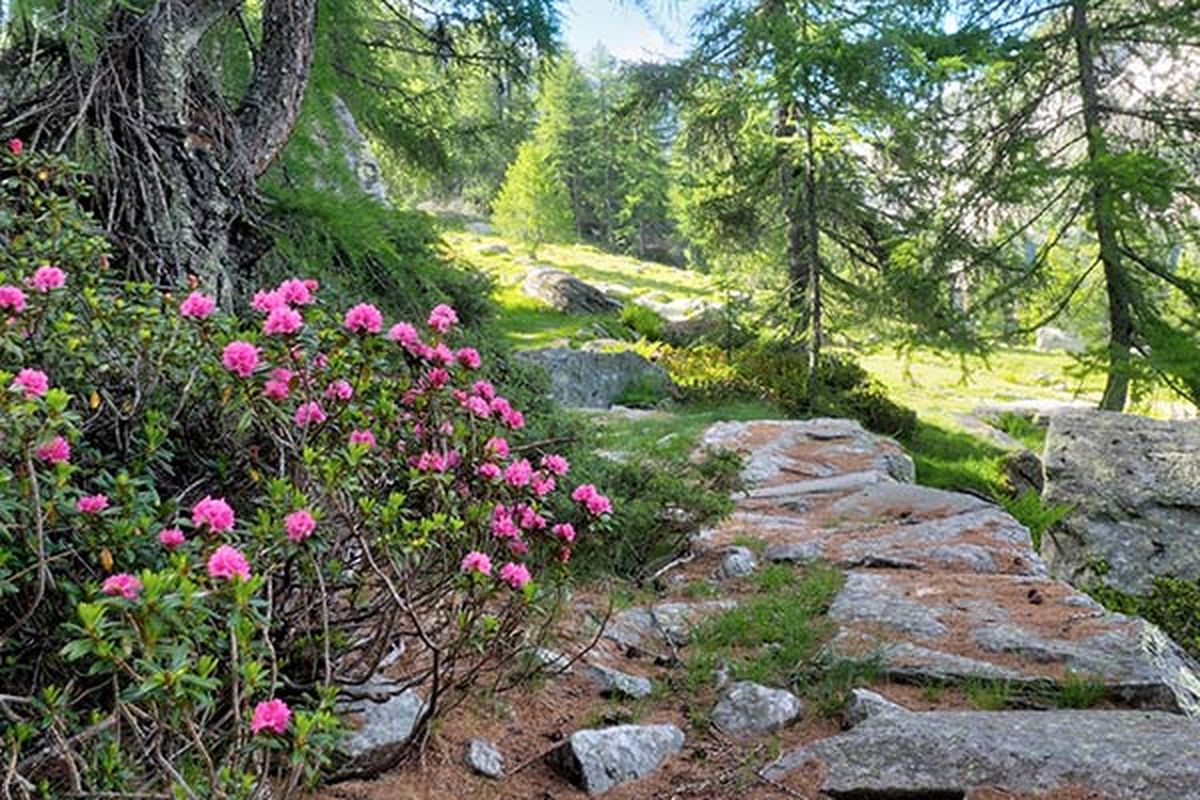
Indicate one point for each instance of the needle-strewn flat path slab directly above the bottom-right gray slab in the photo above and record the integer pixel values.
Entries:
(962, 627)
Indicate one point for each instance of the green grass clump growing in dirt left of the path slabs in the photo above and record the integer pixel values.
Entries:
(775, 636)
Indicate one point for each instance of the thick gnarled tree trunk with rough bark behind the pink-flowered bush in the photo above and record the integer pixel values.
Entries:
(182, 166)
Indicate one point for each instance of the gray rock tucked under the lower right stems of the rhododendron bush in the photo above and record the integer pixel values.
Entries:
(382, 724)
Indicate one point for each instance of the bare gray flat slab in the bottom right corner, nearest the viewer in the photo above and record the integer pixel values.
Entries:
(1120, 755)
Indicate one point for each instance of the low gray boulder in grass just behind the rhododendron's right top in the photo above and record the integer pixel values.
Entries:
(596, 380)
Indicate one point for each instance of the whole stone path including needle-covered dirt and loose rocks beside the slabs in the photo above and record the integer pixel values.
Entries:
(943, 588)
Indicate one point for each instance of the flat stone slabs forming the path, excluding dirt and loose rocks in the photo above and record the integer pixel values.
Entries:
(946, 587)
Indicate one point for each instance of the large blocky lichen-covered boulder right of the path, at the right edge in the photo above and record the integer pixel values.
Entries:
(1135, 485)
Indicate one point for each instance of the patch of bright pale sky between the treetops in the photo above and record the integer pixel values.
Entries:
(628, 33)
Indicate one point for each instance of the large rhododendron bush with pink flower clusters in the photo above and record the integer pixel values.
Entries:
(212, 528)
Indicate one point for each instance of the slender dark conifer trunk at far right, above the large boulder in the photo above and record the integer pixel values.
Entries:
(1121, 328)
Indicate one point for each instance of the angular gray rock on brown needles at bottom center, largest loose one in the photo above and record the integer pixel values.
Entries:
(599, 760)
